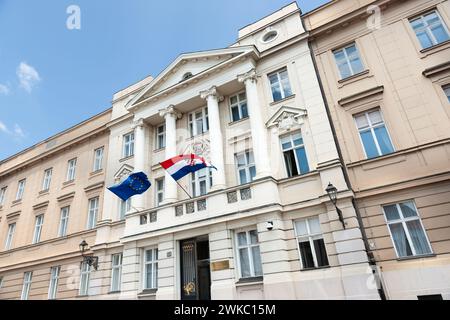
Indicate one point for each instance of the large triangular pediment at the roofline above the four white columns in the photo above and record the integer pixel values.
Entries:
(188, 67)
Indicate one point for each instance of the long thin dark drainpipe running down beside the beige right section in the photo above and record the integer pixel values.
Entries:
(369, 253)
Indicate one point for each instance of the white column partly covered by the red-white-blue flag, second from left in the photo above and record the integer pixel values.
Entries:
(171, 116)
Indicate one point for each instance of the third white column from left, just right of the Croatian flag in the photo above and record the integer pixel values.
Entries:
(215, 137)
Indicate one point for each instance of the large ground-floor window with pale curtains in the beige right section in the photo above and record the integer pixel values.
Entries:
(406, 229)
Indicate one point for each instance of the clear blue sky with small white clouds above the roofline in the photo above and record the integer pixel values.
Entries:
(52, 78)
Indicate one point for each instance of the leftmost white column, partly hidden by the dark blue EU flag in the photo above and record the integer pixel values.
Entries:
(137, 201)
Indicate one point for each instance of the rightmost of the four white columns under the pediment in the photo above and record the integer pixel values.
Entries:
(258, 128)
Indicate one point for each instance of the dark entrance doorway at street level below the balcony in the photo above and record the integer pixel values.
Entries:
(195, 271)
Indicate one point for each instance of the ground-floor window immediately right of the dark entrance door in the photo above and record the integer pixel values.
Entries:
(248, 253)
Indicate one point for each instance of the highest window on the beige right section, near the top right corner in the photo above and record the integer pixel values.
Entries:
(430, 29)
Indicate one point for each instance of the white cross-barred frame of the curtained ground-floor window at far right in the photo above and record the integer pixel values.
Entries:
(403, 221)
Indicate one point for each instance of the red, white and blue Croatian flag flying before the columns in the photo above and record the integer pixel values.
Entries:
(182, 165)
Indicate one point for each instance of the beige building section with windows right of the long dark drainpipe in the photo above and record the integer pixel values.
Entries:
(385, 71)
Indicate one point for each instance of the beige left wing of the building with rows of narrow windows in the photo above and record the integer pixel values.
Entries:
(51, 199)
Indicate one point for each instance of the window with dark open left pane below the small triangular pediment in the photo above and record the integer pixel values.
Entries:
(294, 154)
